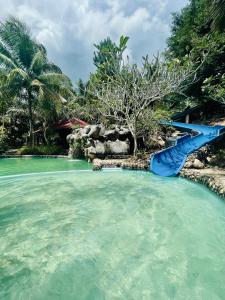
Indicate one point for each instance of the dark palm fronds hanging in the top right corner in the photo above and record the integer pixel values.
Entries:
(218, 15)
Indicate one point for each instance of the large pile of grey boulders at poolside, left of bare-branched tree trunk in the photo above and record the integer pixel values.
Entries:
(94, 141)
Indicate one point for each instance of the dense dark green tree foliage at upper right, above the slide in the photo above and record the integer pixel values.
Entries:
(192, 35)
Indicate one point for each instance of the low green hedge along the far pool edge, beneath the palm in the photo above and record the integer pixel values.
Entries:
(41, 150)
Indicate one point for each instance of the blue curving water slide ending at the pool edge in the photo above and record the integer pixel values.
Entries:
(170, 161)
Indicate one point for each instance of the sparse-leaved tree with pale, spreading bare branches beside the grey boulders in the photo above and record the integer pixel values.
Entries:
(130, 94)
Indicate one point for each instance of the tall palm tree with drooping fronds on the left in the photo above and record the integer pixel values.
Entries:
(27, 76)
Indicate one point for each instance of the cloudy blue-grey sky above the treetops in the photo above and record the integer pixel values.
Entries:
(69, 28)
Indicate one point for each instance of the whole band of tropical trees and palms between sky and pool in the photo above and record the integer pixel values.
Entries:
(35, 94)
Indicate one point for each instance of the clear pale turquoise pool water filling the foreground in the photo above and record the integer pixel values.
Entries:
(109, 235)
